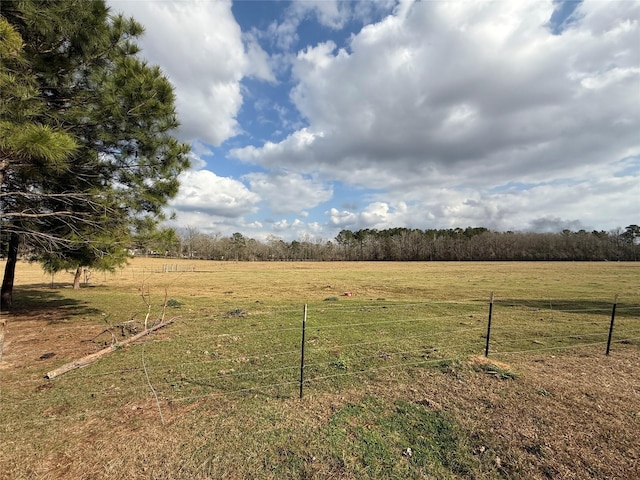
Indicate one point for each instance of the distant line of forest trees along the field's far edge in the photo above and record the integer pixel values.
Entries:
(404, 244)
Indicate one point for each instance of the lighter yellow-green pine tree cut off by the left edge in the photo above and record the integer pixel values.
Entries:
(27, 147)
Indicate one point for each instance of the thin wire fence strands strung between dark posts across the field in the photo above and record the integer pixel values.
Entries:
(343, 344)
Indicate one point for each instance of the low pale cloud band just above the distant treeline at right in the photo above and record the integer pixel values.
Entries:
(585, 202)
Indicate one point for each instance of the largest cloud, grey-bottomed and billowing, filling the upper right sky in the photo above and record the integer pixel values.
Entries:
(475, 93)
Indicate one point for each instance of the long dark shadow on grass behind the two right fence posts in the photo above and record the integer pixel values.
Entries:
(577, 307)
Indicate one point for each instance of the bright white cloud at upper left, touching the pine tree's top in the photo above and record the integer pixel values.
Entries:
(200, 48)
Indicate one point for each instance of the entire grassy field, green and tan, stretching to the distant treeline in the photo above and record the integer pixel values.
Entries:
(395, 381)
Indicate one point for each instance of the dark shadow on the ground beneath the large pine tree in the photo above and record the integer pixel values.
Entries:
(40, 302)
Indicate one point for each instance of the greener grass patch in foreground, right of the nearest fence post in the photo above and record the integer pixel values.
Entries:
(378, 439)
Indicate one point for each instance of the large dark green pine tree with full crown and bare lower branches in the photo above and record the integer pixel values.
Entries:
(91, 84)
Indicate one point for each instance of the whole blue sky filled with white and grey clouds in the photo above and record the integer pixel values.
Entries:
(309, 117)
